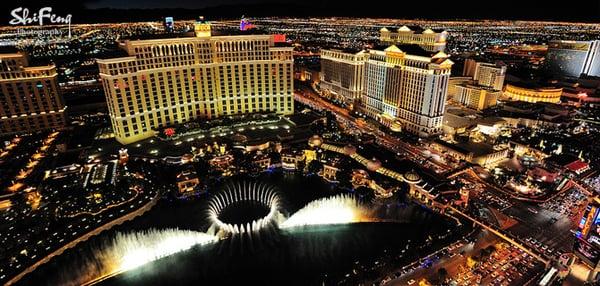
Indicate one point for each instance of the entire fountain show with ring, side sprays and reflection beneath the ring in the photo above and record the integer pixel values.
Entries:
(127, 251)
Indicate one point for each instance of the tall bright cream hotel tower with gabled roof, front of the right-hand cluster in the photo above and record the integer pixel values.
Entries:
(407, 85)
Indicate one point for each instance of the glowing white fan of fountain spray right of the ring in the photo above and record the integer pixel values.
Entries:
(338, 209)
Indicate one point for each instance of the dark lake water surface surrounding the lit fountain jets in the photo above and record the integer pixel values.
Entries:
(313, 255)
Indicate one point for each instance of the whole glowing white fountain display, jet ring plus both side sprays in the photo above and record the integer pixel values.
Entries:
(130, 250)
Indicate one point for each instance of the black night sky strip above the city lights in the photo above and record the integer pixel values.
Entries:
(121, 10)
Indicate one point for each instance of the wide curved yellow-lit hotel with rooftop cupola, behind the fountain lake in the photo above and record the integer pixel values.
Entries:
(171, 81)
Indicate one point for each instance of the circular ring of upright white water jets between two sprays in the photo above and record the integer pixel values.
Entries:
(244, 191)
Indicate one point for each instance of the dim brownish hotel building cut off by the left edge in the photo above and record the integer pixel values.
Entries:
(30, 99)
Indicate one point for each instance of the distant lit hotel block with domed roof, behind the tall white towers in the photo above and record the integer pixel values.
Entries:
(428, 39)
